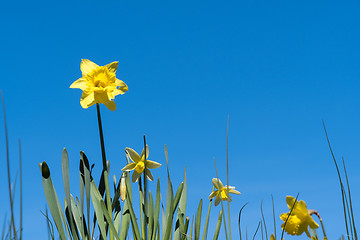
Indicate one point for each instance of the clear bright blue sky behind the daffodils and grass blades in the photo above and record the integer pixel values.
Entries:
(276, 67)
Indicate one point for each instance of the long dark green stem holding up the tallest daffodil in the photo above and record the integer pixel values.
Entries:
(105, 168)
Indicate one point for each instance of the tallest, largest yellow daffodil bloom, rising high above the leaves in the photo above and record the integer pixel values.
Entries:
(99, 84)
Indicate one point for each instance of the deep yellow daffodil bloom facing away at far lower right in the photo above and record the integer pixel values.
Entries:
(299, 220)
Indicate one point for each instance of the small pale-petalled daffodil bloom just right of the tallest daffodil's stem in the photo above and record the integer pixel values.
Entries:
(139, 164)
